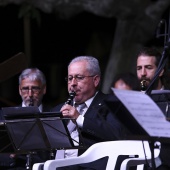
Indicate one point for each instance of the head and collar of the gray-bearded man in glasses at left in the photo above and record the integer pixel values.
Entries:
(32, 88)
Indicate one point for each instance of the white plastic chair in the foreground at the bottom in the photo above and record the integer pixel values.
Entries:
(112, 149)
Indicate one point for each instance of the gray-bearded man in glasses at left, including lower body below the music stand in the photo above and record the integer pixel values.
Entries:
(32, 88)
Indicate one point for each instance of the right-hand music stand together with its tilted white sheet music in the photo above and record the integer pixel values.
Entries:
(141, 116)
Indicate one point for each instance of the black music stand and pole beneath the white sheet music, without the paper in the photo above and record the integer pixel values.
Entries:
(134, 130)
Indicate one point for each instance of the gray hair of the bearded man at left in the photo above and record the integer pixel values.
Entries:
(33, 74)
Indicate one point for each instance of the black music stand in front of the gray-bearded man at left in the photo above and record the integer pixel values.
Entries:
(31, 131)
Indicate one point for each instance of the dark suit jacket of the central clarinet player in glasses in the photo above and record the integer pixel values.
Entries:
(99, 123)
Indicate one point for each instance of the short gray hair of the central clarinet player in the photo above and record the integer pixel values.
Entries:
(93, 64)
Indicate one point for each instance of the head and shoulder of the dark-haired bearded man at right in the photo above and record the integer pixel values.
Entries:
(147, 64)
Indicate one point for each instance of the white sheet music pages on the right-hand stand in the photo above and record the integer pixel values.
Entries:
(145, 111)
